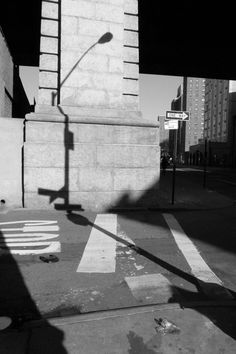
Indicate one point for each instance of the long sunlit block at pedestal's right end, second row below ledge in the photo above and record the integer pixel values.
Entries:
(127, 156)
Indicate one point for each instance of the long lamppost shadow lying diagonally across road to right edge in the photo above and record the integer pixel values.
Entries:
(218, 317)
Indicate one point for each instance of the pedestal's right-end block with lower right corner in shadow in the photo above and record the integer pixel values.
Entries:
(135, 179)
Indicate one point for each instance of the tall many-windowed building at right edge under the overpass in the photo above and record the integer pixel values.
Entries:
(219, 124)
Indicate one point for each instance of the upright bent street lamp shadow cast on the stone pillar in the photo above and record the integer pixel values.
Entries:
(68, 138)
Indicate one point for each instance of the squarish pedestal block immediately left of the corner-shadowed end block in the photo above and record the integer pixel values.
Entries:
(95, 179)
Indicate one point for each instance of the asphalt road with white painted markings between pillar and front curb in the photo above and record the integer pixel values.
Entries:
(138, 260)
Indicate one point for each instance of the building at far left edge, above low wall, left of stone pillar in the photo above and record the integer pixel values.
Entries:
(13, 100)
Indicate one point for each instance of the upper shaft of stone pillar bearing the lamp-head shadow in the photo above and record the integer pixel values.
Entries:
(107, 76)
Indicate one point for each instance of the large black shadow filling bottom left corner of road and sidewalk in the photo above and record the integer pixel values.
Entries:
(17, 303)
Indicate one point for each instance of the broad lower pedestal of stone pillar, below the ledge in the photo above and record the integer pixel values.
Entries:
(97, 166)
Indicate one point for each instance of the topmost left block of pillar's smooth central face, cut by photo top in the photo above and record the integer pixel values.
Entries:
(79, 8)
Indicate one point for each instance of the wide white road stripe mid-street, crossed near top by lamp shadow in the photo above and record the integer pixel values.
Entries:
(100, 252)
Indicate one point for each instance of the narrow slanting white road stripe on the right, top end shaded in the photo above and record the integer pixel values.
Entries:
(197, 264)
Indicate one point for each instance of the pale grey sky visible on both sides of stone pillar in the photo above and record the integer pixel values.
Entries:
(156, 91)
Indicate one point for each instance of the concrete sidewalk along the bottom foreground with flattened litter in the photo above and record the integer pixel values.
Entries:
(198, 328)
